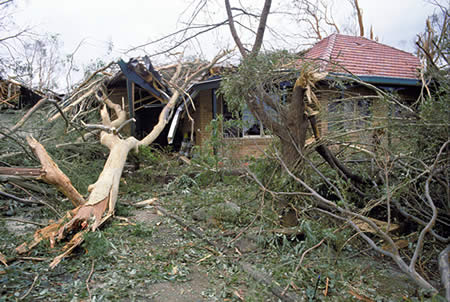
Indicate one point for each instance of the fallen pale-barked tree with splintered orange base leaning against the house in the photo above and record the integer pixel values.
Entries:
(103, 194)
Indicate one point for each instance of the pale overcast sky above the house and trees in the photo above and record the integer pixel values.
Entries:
(98, 24)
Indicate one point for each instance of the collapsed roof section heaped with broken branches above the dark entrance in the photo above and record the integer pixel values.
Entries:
(143, 90)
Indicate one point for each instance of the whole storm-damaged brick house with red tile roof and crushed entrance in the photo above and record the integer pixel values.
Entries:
(346, 105)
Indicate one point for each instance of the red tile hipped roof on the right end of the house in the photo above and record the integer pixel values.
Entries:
(363, 57)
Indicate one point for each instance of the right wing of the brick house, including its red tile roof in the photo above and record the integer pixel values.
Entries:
(352, 105)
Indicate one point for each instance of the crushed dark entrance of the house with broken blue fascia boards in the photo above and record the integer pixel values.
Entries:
(143, 92)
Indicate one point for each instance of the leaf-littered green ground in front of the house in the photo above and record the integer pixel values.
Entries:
(133, 259)
